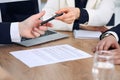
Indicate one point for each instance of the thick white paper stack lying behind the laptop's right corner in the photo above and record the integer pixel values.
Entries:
(85, 34)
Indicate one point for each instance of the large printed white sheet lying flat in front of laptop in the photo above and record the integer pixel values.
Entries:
(49, 55)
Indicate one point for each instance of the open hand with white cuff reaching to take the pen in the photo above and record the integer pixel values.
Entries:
(30, 28)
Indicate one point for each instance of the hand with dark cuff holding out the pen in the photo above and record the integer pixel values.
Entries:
(70, 14)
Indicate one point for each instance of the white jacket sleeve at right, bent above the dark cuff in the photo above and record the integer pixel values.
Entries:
(101, 13)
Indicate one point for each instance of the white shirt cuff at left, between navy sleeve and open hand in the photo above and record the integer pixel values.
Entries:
(14, 32)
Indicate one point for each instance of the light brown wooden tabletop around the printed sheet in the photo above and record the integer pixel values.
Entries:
(71, 70)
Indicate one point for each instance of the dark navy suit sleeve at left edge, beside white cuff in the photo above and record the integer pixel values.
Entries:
(5, 33)
